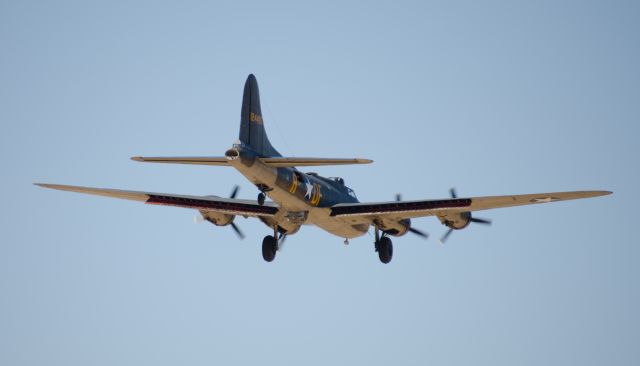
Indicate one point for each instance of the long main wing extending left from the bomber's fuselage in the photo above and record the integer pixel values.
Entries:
(209, 203)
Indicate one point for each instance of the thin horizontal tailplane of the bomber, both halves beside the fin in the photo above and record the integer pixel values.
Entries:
(274, 162)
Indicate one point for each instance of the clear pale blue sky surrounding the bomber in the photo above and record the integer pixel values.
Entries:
(489, 97)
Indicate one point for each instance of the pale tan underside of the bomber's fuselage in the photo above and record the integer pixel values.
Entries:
(259, 173)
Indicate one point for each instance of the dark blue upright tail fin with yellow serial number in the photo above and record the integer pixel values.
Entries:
(252, 132)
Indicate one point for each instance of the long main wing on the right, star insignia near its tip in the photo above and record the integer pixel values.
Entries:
(408, 209)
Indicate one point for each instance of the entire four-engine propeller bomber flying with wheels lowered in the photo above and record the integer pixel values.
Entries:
(308, 198)
